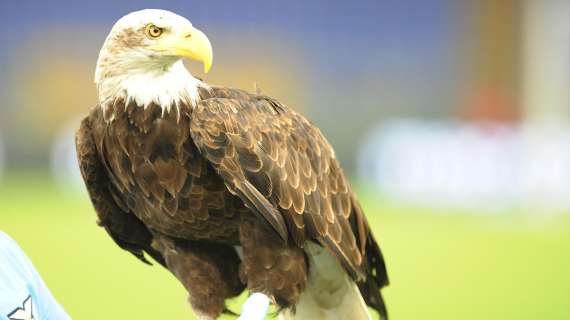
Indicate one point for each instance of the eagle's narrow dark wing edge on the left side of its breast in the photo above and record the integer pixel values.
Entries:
(123, 226)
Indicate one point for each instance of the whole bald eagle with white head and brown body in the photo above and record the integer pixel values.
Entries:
(225, 188)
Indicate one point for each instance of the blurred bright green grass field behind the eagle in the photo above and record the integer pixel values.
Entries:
(442, 265)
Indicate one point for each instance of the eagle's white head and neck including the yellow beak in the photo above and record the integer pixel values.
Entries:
(141, 60)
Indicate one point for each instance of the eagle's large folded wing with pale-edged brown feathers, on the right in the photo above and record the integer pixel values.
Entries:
(282, 167)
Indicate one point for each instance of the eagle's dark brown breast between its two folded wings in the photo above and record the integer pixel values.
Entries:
(158, 172)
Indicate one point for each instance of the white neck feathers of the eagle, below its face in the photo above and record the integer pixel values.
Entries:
(165, 85)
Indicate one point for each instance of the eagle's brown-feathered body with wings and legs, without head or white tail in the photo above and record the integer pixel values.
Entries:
(237, 169)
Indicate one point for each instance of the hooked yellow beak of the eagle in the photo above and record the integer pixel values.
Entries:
(194, 44)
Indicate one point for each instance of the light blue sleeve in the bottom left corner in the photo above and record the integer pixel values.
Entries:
(22, 275)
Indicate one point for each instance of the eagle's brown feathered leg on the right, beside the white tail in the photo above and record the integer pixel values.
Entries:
(271, 266)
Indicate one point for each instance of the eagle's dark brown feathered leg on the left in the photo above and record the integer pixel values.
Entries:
(208, 271)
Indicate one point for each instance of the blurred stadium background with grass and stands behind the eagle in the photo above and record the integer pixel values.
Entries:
(451, 117)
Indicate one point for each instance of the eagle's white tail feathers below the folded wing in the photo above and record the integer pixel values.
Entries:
(330, 293)
